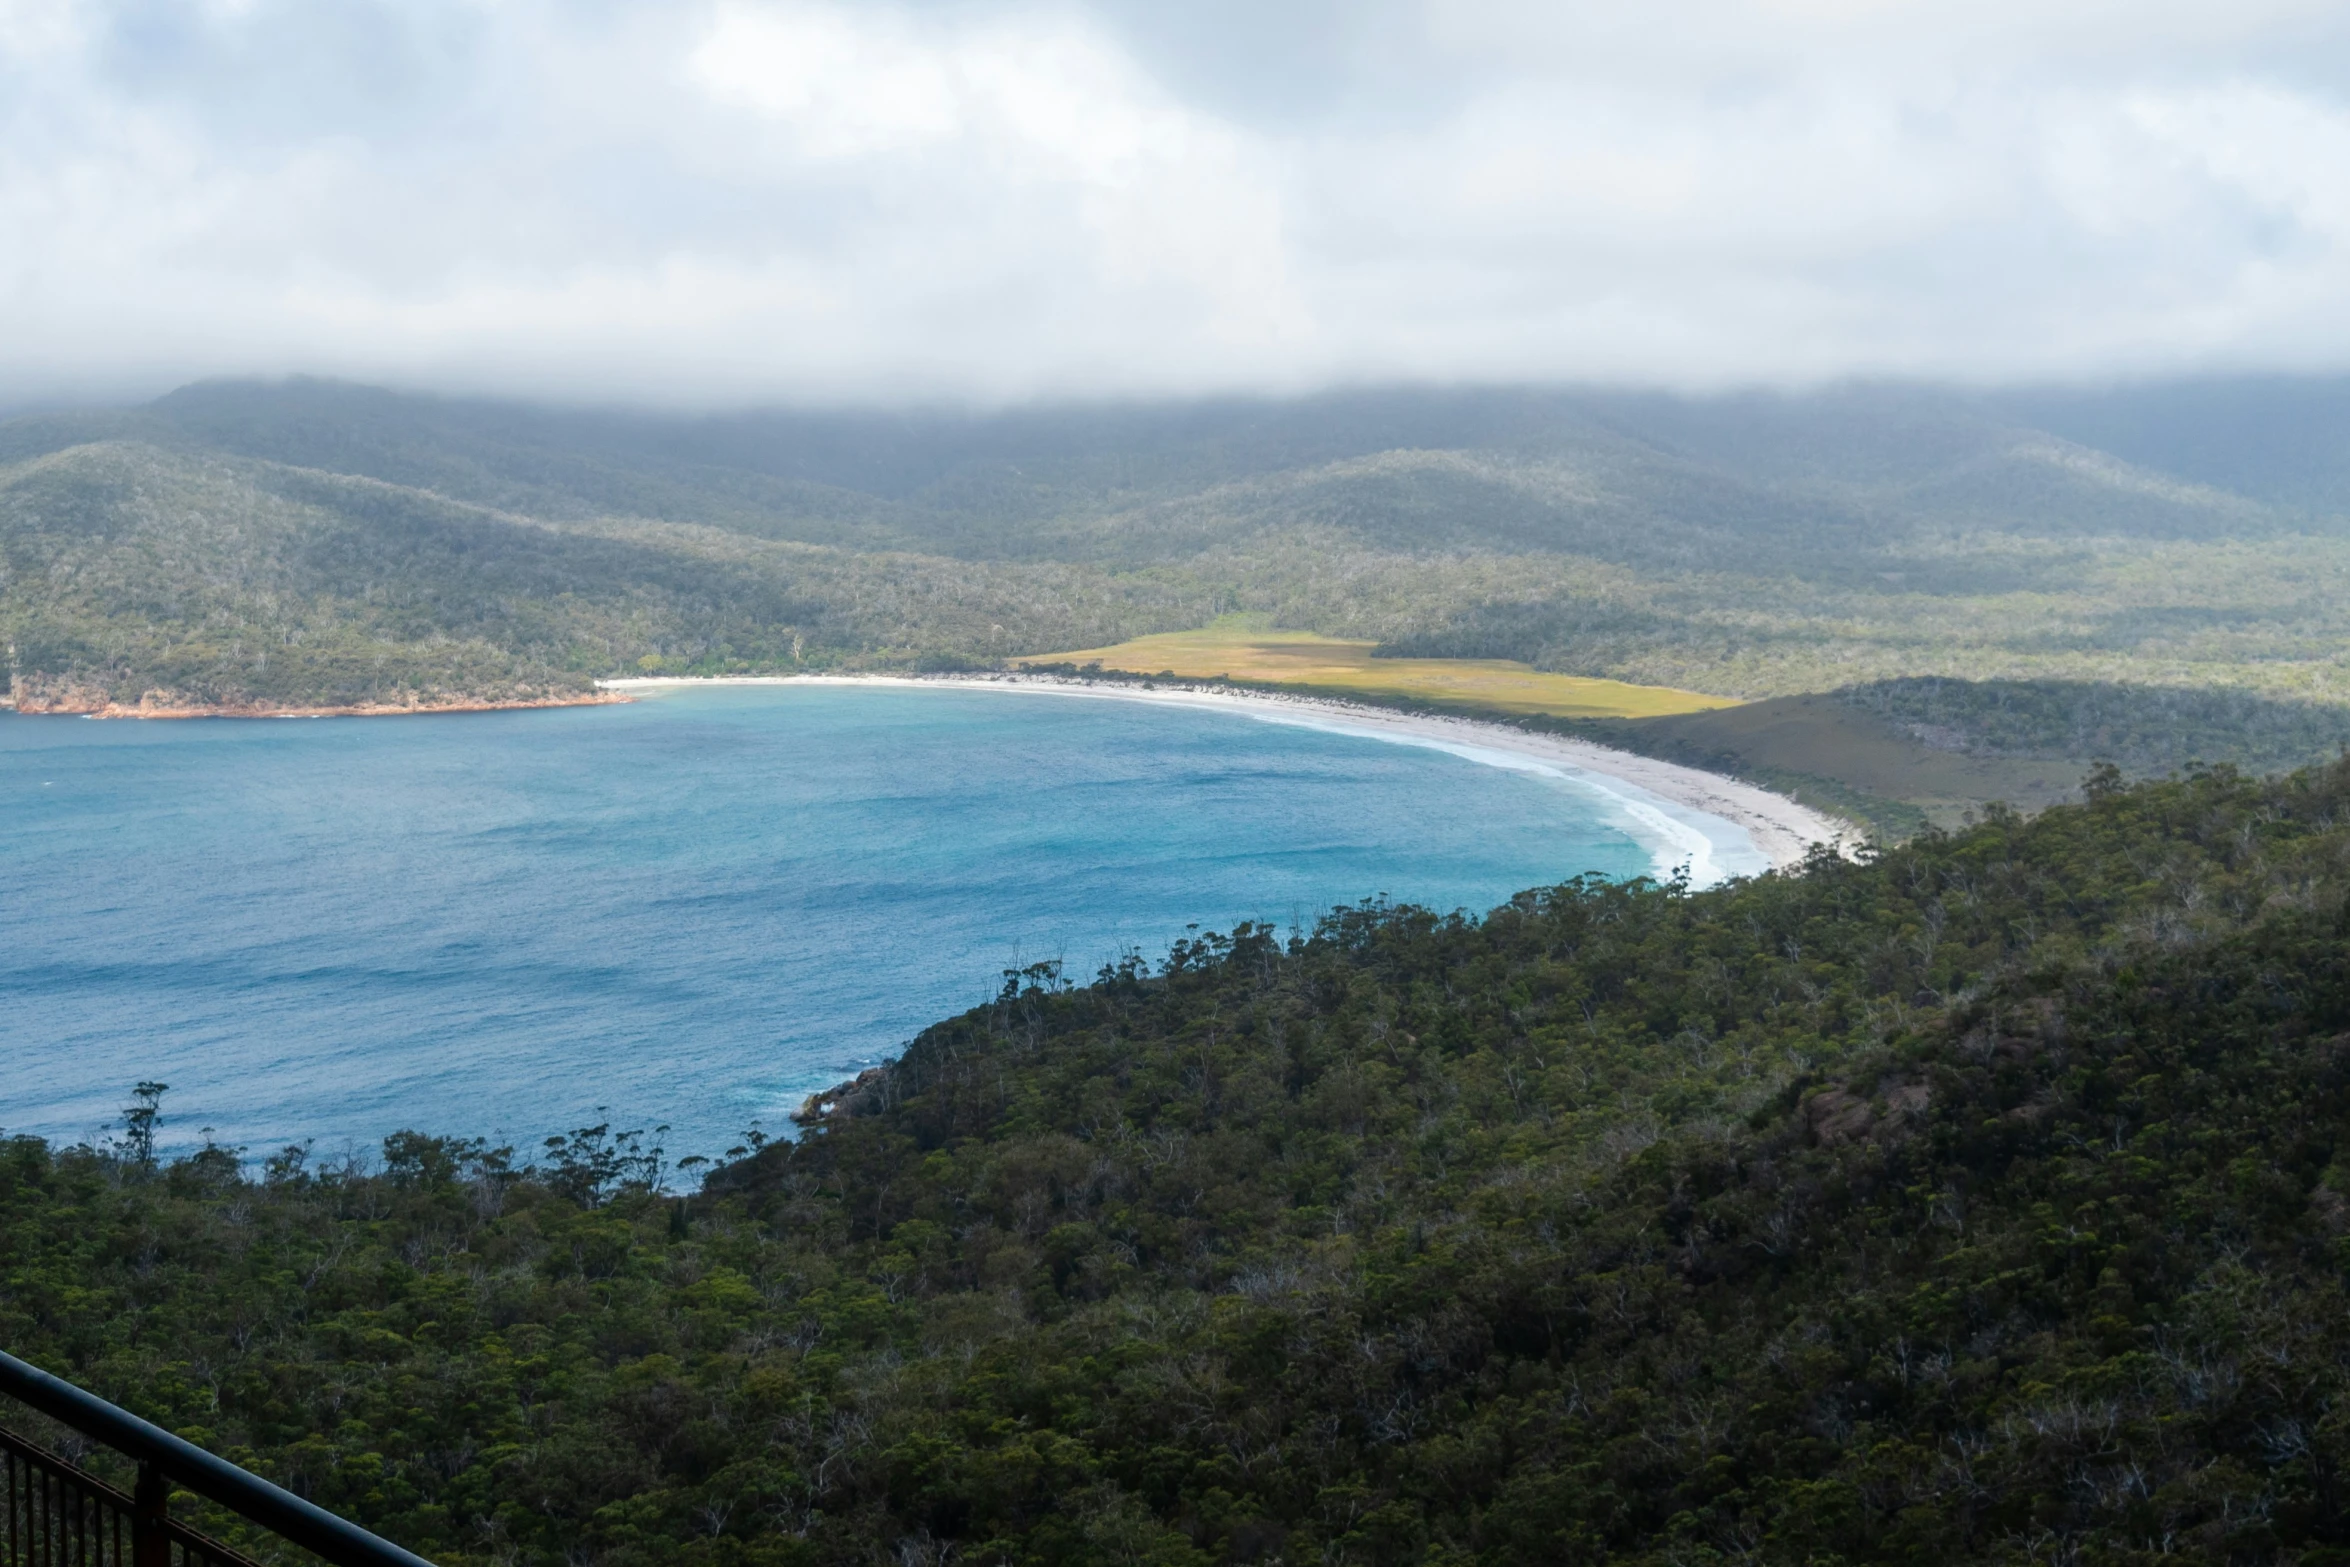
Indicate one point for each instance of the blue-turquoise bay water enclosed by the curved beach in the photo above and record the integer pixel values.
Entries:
(690, 910)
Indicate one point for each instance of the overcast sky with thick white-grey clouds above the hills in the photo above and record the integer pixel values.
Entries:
(746, 201)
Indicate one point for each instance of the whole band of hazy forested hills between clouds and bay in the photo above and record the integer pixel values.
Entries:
(318, 544)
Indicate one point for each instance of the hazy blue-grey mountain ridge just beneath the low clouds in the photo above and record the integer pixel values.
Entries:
(1855, 462)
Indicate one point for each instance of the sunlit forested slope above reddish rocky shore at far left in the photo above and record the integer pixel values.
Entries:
(227, 581)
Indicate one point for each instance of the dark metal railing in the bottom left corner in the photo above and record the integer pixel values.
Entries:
(62, 1516)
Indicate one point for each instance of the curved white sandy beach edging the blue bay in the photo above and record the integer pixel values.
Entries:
(1775, 826)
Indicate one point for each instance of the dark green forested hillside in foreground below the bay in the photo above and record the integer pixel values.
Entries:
(1987, 1202)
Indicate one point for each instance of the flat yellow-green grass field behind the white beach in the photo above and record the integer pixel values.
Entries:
(1247, 650)
